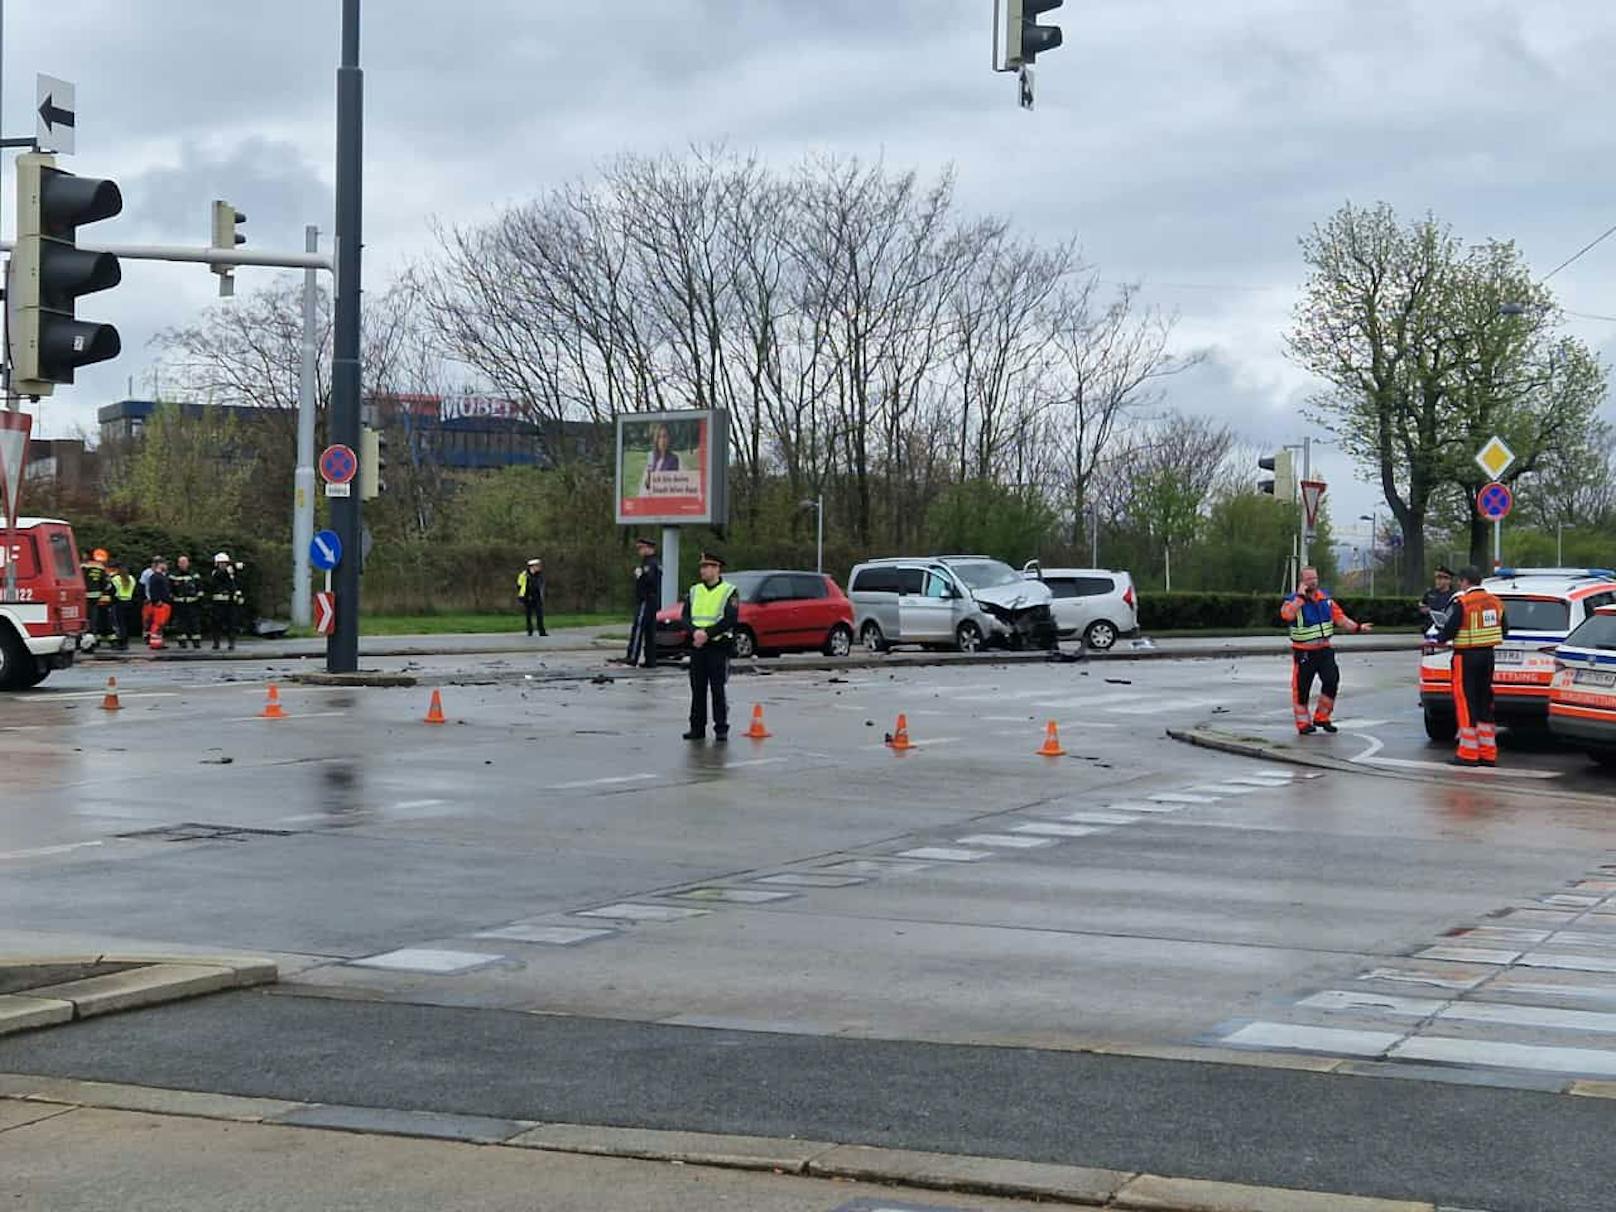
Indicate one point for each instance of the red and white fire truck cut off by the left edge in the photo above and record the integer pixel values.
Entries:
(43, 612)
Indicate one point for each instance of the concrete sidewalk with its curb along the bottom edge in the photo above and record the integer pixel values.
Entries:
(80, 1147)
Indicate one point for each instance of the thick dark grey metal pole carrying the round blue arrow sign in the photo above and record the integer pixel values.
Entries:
(342, 654)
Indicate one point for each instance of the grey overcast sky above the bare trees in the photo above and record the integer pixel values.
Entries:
(1185, 143)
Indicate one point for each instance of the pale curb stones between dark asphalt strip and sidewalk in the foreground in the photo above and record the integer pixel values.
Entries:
(945, 1172)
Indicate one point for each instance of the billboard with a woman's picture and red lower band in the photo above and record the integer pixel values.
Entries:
(671, 468)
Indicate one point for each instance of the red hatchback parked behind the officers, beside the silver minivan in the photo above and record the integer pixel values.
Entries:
(780, 613)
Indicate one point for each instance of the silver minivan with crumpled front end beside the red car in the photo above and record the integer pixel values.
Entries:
(949, 602)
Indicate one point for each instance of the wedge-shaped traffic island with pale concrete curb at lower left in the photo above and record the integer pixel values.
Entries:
(54, 990)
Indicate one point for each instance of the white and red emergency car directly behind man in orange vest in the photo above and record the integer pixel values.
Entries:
(1542, 607)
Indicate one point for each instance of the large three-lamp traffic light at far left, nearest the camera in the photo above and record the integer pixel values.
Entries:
(49, 272)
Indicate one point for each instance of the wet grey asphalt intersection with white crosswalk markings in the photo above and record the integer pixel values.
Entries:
(558, 849)
